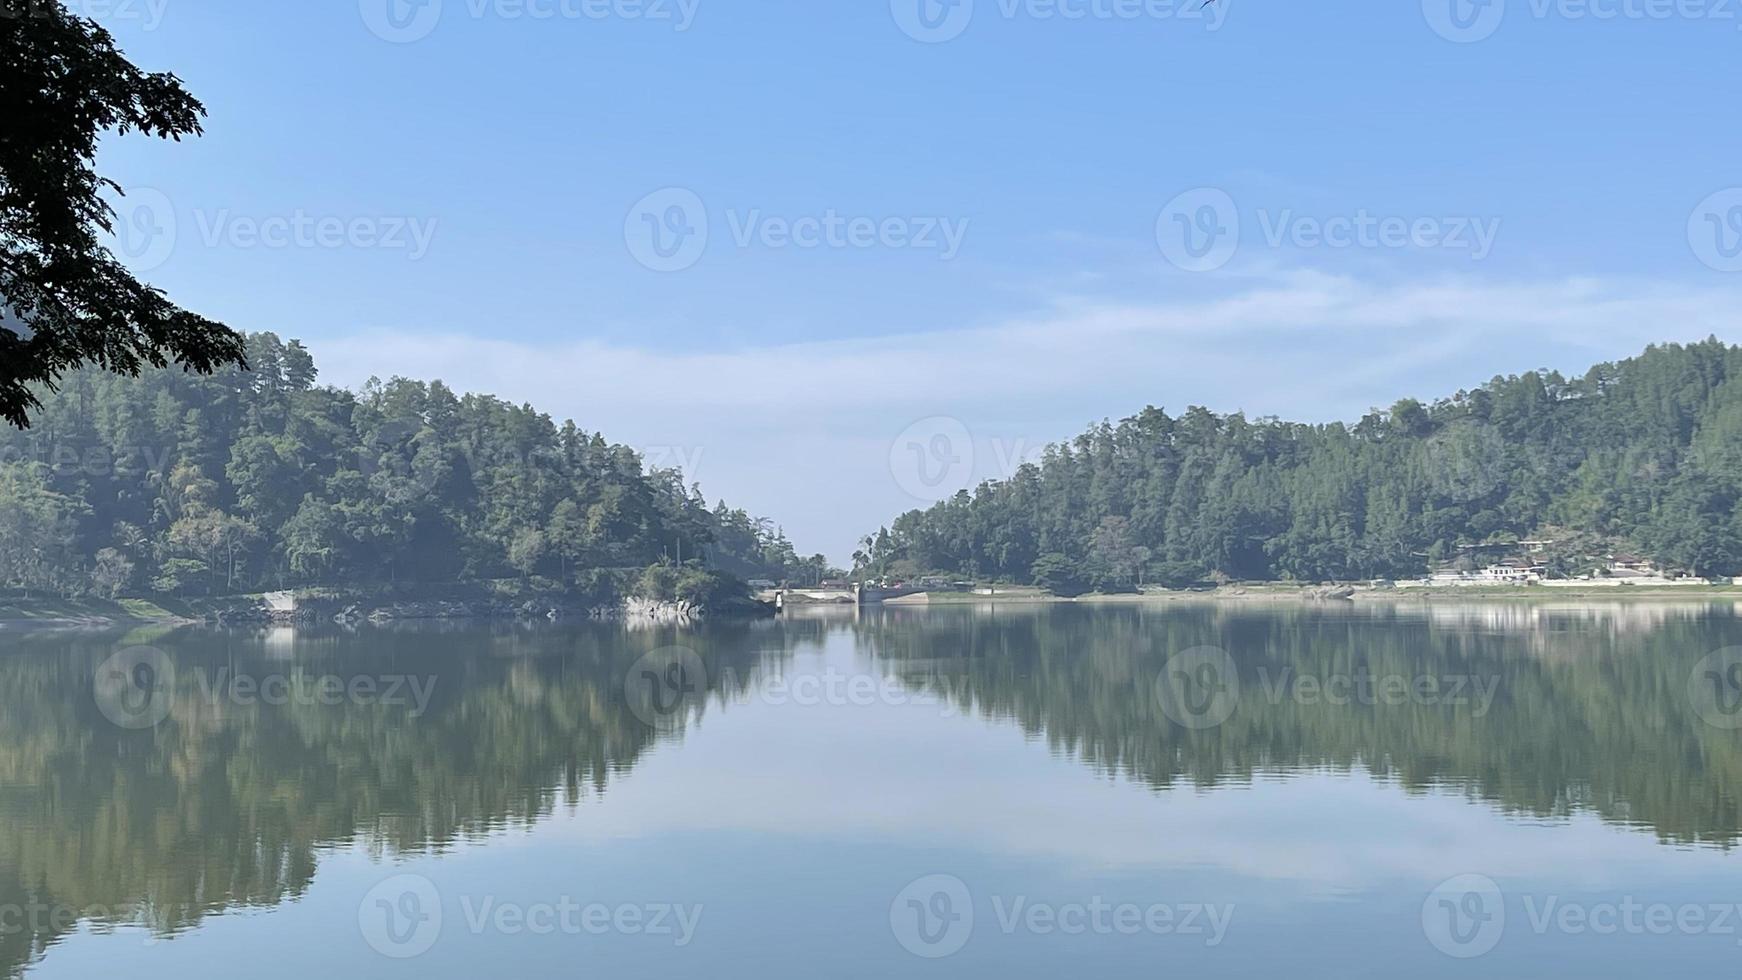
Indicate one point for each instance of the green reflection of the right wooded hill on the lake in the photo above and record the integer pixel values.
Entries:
(1590, 711)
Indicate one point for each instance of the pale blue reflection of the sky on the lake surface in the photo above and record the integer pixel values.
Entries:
(795, 826)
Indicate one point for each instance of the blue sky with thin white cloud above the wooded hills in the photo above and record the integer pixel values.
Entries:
(896, 258)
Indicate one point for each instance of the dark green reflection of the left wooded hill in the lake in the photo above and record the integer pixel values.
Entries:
(229, 805)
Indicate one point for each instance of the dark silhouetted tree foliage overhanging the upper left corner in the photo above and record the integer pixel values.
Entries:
(65, 300)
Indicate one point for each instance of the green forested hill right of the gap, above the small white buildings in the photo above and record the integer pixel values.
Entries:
(1645, 453)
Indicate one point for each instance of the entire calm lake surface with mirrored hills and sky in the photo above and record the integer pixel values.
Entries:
(1342, 791)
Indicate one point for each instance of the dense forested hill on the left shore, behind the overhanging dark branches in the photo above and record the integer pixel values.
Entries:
(259, 480)
